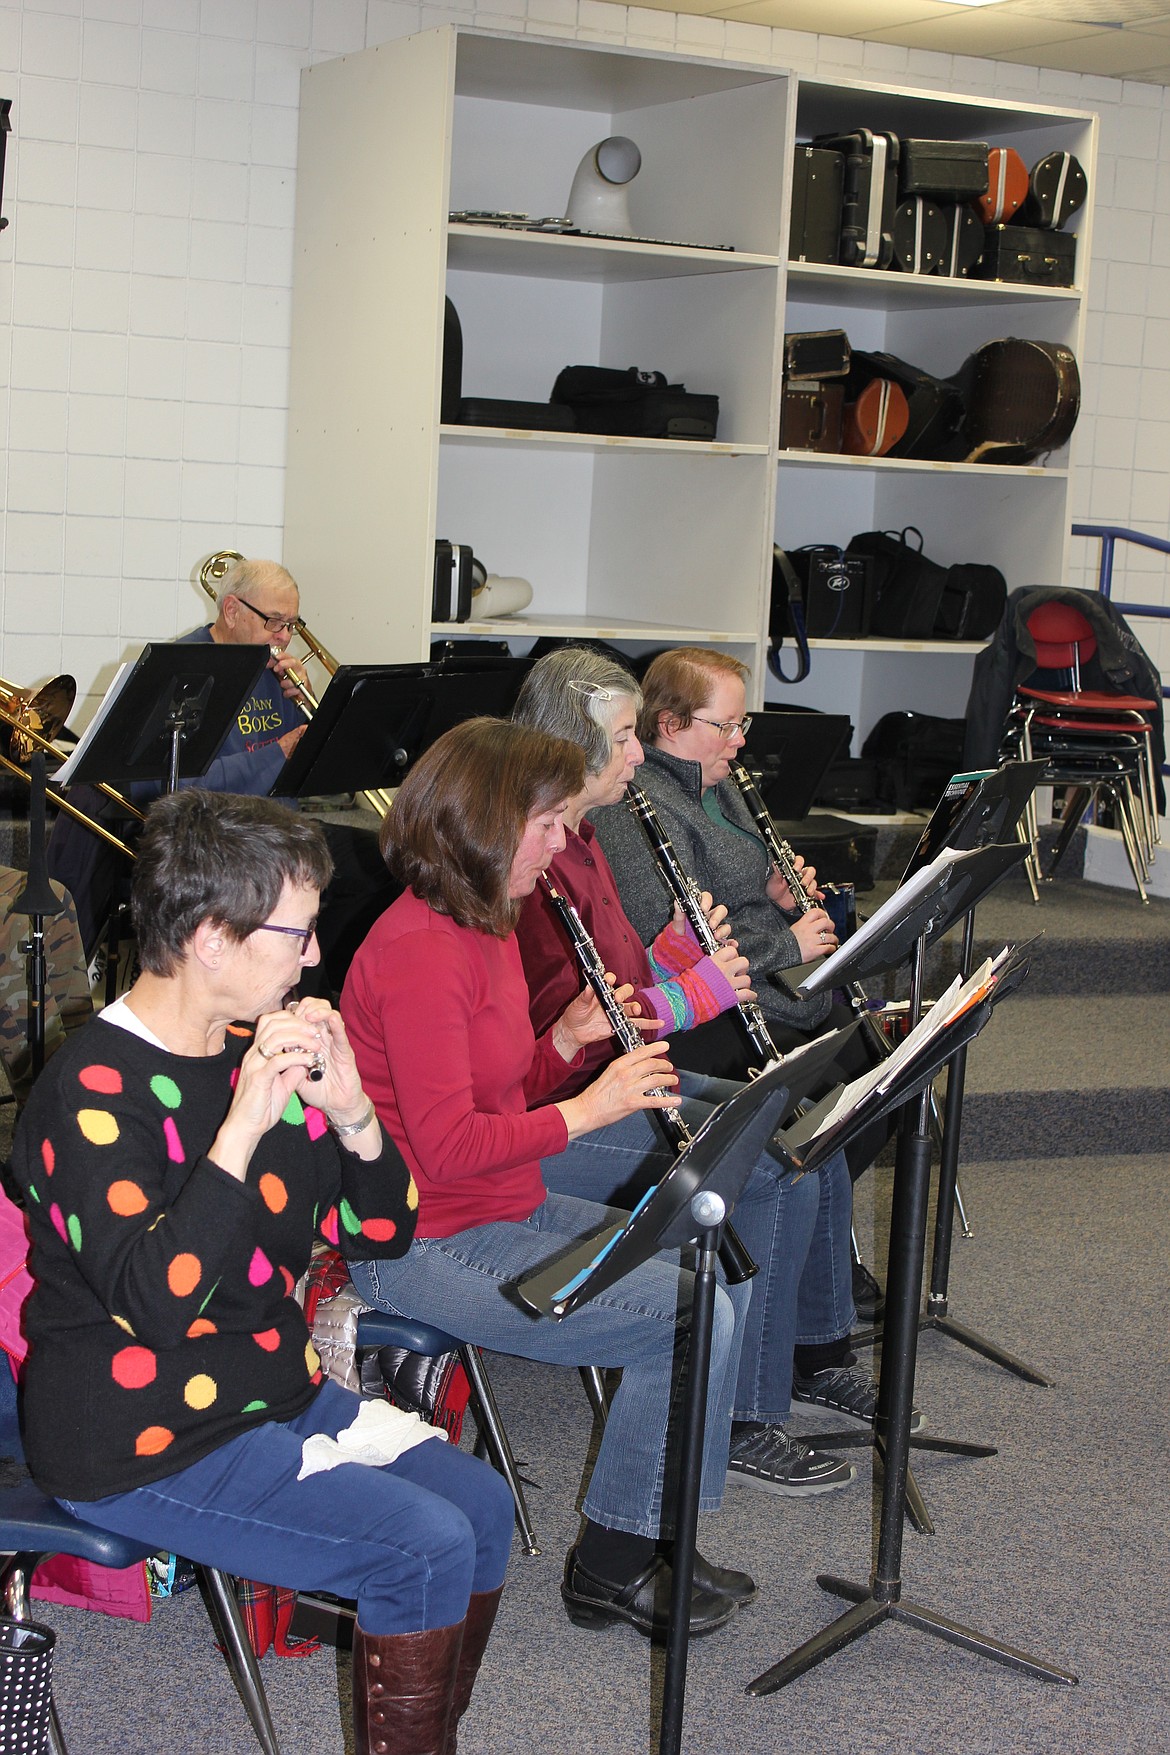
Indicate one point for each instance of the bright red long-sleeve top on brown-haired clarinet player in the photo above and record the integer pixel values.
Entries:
(438, 1017)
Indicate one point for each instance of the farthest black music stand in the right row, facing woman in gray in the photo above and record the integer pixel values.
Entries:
(973, 812)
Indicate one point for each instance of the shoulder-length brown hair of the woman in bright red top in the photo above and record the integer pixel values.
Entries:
(460, 813)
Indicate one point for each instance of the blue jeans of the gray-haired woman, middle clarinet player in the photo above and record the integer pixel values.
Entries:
(797, 1229)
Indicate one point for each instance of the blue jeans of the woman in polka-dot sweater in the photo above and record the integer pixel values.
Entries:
(411, 1542)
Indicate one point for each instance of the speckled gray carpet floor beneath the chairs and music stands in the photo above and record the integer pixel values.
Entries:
(1060, 1544)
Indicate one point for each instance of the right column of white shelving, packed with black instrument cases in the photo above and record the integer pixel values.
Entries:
(1013, 517)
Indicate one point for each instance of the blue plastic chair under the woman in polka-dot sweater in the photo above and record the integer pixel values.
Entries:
(32, 1529)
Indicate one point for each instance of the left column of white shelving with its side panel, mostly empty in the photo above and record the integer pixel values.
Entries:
(643, 541)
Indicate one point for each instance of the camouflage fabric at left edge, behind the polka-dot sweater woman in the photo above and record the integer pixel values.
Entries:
(68, 982)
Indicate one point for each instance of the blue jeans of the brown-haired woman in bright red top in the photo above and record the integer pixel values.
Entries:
(464, 1284)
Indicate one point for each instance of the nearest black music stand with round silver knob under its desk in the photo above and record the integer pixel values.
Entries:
(688, 1207)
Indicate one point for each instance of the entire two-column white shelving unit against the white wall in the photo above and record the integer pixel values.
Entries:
(645, 543)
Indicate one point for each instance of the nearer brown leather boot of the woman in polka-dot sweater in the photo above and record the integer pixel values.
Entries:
(403, 1691)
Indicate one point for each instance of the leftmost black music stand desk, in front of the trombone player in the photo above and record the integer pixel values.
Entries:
(176, 699)
